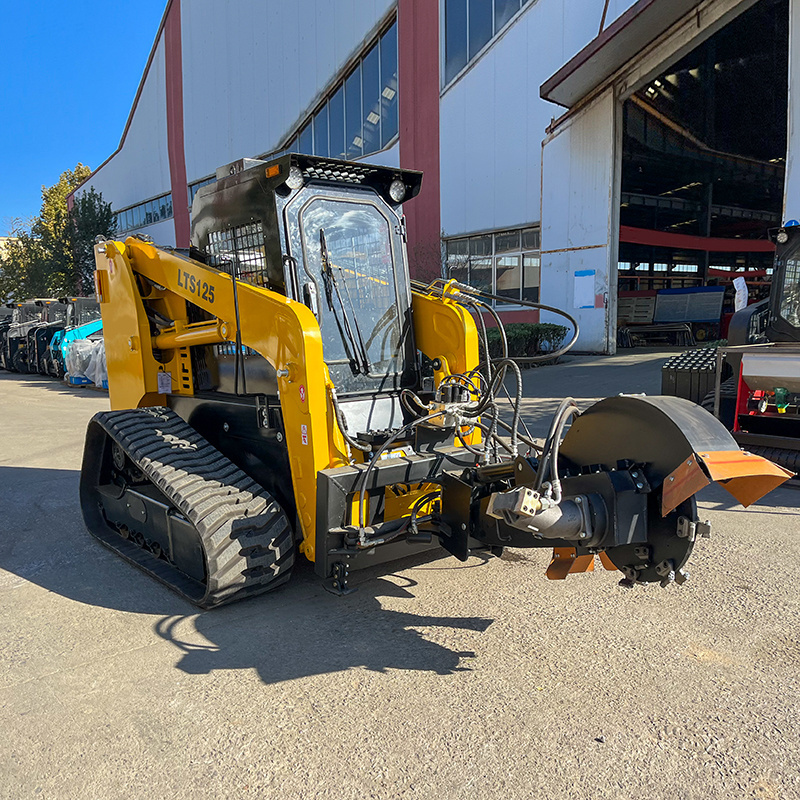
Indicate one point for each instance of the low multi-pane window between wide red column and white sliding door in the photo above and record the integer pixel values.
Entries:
(505, 263)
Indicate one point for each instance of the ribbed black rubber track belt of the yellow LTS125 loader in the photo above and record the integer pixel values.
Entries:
(245, 535)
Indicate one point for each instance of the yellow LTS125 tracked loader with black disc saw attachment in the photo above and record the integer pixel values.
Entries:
(283, 388)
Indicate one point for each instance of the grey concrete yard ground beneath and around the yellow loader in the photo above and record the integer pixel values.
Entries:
(441, 680)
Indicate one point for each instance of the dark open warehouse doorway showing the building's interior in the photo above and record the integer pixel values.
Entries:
(703, 168)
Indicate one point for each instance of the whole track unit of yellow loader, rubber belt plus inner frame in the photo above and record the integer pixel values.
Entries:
(245, 538)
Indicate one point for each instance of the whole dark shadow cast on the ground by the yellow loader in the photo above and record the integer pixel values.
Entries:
(296, 631)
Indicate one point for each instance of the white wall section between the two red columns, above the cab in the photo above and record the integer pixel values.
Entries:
(252, 69)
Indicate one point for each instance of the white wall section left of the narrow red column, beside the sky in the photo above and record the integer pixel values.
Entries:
(140, 170)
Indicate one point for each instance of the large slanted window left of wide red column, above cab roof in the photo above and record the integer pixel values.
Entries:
(359, 114)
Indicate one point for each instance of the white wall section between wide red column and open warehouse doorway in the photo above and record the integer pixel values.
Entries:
(493, 120)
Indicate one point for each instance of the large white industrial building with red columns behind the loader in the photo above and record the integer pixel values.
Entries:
(584, 153)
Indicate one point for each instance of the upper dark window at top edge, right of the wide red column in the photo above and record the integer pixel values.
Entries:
(469, 25)
